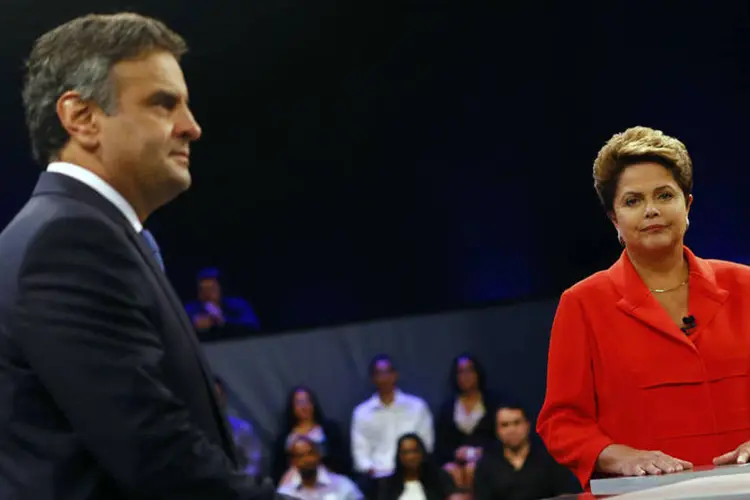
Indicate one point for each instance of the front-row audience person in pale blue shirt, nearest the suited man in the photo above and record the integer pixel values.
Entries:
(310, 480)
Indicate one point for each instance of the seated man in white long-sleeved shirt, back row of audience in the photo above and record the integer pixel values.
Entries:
(378, 422)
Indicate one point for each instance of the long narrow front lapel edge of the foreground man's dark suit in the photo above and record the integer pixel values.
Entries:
(166, 286)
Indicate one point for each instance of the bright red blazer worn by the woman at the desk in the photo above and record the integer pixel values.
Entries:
(621, 371)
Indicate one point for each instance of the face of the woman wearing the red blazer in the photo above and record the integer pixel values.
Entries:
(650, 210)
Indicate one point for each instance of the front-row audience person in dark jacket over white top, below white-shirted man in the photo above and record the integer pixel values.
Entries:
(416, 477)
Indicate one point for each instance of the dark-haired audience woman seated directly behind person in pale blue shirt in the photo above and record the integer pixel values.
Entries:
(303, 416)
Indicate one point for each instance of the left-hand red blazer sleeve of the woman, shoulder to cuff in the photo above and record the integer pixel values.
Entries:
(567, 422)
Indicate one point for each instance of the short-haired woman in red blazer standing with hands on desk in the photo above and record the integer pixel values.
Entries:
(649, 360)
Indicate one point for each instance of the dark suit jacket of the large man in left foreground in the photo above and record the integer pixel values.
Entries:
(104, 391)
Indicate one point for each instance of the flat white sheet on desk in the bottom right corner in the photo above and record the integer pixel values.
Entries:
(714, 487)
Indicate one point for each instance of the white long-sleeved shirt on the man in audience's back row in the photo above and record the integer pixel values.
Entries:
(376, 429)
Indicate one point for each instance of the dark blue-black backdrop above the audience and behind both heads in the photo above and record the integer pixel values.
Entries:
(368, 159)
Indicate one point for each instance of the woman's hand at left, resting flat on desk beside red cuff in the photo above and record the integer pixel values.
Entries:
(626, 461)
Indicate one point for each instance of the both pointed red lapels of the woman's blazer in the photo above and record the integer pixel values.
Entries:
(637, 301)
